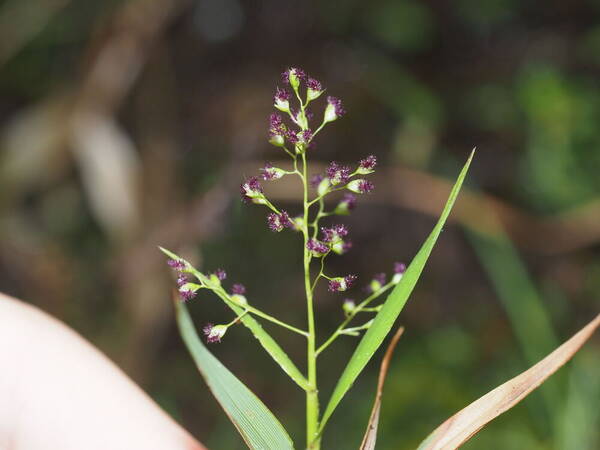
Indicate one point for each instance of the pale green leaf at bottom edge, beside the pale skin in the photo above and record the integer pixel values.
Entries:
(255, 422)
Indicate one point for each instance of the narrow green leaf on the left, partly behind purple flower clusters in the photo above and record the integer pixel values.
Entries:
(265, 339)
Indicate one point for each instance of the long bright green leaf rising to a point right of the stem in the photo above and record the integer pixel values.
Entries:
(391, 308)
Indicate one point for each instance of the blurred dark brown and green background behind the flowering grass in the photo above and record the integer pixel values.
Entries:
(129, 124)
